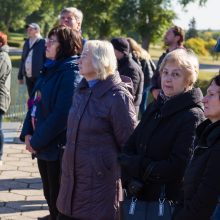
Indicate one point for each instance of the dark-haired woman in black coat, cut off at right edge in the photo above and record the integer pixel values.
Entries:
(202, 180)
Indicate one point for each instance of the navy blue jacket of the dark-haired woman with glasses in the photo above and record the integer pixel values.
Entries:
(56, 86)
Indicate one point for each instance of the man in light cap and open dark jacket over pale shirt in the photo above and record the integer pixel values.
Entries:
(33, 57)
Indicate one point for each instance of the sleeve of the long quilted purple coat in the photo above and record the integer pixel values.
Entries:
(123, 117)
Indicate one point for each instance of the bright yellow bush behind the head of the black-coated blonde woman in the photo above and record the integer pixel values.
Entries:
(197, 45)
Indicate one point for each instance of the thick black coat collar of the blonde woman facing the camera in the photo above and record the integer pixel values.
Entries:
(191, 98)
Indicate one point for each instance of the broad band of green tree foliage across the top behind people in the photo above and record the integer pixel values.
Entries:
(145, 20)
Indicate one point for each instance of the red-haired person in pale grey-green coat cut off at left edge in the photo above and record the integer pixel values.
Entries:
(5, 82)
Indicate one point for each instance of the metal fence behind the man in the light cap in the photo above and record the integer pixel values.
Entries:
(18, 107)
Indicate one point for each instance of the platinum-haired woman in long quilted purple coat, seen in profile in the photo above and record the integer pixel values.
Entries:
(101, 119)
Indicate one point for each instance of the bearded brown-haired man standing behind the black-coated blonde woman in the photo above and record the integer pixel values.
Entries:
(173, 39)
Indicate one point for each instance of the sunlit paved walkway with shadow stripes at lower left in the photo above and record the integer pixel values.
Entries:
(21, 195)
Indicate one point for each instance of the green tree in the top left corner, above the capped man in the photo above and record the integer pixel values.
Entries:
(13, 12)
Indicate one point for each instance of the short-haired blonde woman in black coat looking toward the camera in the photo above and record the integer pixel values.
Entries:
(156, 154)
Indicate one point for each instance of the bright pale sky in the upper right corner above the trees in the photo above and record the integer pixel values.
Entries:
(207, 17)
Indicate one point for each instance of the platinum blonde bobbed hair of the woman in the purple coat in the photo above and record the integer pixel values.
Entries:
(103, 57)
